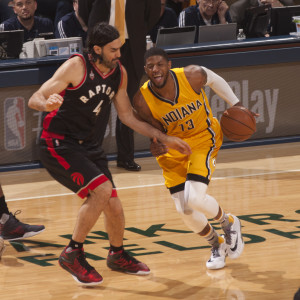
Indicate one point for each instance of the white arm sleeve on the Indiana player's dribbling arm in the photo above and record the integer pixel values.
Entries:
(220, 87)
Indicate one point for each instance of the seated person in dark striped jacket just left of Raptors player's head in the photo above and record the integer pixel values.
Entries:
(71, 25)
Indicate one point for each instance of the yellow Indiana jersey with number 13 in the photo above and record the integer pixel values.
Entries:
(188, 115)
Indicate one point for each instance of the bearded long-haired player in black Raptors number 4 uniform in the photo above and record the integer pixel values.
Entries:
(77, 102)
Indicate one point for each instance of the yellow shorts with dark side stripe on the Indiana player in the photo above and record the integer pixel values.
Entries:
(198, 166)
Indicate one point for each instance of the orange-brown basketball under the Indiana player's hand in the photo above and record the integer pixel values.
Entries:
(237, 123)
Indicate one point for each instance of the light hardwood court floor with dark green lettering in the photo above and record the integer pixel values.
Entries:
(261, 185)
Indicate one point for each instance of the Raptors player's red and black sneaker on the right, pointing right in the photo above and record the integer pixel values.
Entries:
(121, 261)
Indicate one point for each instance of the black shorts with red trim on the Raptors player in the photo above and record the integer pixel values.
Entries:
(78, 166)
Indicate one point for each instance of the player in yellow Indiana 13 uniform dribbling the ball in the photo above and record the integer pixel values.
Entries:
(173, 101)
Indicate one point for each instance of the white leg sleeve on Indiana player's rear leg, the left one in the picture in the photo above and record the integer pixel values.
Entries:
(194, 220)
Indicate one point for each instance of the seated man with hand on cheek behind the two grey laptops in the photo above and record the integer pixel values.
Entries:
(207, 12)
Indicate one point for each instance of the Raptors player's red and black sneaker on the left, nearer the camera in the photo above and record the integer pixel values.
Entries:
(74, 261)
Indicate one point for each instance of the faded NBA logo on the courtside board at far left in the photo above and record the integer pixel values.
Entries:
(14, 123)
